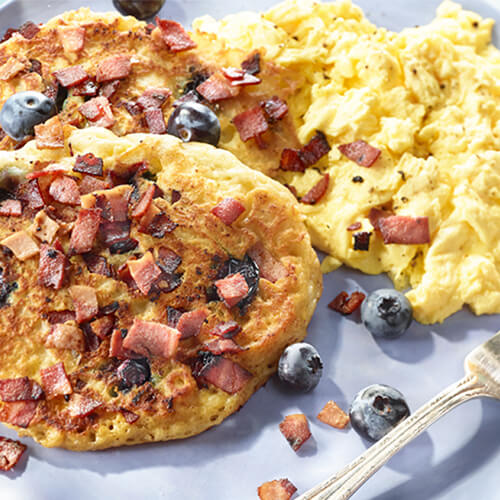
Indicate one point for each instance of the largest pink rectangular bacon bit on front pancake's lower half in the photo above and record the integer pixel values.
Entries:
(150, 338)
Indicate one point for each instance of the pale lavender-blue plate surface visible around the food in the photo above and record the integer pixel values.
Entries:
(457, 459)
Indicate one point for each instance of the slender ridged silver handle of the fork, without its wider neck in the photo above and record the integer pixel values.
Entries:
(343, 484)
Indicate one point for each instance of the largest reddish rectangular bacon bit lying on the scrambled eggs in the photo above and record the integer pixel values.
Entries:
(405, 230)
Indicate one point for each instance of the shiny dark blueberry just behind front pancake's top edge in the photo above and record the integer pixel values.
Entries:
(192, 121)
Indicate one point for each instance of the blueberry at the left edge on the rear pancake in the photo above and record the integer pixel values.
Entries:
(22, 111)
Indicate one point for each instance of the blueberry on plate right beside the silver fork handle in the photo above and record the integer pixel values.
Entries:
(376, 410)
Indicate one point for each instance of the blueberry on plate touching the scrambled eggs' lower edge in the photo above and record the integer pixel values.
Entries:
(386, 313)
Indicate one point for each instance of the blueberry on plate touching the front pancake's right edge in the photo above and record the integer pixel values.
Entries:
(300, 366)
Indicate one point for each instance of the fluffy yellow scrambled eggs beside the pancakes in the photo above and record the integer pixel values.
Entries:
(429, 99)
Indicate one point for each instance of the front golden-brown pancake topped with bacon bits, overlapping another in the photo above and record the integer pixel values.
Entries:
(148, 287)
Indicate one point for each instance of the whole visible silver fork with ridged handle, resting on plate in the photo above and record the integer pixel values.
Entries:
(482, 367)
